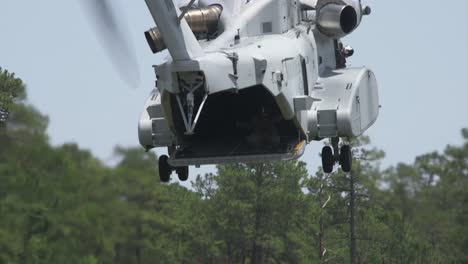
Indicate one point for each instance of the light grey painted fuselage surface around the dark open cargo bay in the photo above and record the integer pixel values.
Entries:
(263, 42)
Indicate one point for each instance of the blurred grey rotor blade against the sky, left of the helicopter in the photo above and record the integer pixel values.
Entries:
(112, 35)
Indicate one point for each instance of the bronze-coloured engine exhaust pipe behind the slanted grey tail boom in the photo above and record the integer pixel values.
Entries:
(202, 21)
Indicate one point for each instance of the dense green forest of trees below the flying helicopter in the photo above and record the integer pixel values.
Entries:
(60, 204)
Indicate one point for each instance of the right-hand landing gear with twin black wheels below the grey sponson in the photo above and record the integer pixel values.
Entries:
(331, 156)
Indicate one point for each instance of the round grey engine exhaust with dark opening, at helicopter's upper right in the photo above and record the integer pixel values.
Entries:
(336, 21)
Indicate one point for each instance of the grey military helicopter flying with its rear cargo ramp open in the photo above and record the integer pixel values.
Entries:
(255, 81)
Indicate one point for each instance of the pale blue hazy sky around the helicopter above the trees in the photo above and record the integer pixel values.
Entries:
(418, 50)
